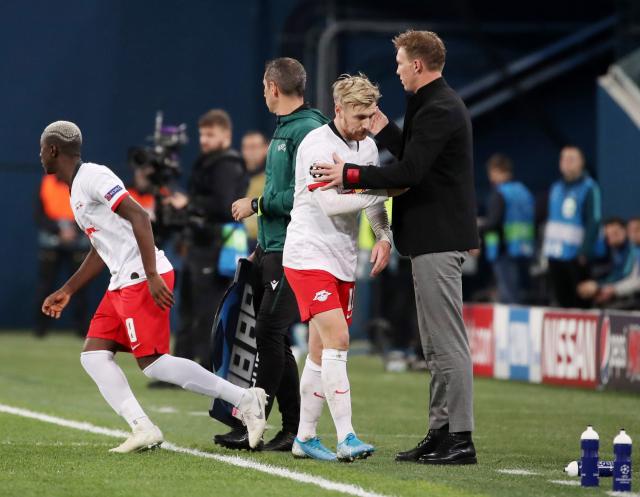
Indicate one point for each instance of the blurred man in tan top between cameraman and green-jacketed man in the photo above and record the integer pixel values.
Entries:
(254, 152)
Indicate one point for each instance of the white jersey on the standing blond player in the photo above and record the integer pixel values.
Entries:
(314, 239)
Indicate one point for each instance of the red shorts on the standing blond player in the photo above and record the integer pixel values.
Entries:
(318, 291)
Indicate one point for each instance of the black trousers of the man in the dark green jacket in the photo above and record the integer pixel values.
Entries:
(278, 371)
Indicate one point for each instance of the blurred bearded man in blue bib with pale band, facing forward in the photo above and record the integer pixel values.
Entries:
(572, 230)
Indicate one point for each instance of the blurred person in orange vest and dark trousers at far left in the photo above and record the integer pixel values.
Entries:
(61, 245)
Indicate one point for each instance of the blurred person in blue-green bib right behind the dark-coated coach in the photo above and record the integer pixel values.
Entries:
(508, 231)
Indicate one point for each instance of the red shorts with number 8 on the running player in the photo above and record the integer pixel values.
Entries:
(130, 317)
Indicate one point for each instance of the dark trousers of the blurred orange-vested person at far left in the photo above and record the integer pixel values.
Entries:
(50, 263)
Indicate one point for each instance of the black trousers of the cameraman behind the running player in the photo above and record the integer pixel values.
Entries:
(201, 289)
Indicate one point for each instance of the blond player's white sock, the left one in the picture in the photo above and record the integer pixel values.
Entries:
(311, 400)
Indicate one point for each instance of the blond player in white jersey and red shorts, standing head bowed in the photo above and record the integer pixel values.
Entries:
(320, 255)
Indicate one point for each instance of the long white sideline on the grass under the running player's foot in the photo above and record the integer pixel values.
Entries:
(318, 481)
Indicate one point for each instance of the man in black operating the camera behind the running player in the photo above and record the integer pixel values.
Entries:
(218, 178)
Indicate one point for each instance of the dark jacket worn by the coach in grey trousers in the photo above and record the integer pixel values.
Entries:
(435, 161)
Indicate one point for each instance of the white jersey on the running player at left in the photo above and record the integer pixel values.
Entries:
(95, 194)
